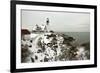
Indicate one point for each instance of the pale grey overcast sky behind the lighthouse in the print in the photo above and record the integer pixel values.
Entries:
(59, 21)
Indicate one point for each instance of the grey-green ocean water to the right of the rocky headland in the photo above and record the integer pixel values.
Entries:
(80, 37)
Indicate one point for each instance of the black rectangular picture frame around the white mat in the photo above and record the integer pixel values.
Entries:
(13, 35)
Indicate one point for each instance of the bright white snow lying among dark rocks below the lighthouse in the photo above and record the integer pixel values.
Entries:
(51, 52)
